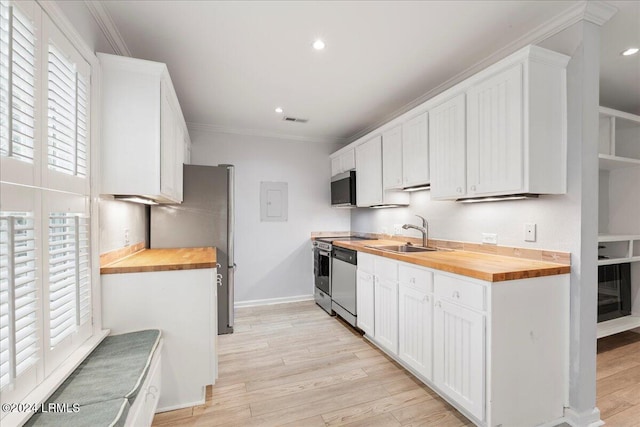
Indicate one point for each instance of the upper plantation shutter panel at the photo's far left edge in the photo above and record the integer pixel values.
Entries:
(17, 84)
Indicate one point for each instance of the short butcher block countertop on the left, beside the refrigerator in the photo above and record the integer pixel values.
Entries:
(163, 260)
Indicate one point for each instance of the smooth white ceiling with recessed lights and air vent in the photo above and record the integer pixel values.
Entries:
(234, 62)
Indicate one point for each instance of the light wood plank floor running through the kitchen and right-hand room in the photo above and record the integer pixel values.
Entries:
(293, 365)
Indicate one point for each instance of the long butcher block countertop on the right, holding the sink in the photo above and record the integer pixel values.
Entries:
(491, 268)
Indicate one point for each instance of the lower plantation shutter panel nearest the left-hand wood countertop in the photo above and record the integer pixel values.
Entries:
(69, 275)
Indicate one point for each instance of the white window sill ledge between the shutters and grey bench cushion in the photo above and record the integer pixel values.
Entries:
(47, 387)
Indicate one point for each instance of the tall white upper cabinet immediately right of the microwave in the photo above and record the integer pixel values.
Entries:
(369, 186)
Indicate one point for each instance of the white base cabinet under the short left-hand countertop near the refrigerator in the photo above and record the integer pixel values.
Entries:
(183, 305)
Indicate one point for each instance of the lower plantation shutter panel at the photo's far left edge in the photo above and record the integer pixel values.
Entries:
(18, 296)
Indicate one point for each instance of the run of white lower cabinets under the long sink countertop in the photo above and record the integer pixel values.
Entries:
(496, 351)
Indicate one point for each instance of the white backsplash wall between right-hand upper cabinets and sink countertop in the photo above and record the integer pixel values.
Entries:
(556, 217)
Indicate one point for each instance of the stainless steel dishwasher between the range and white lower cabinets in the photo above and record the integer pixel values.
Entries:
(343, 283)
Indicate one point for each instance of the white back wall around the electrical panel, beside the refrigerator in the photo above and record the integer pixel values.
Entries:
(274, 258)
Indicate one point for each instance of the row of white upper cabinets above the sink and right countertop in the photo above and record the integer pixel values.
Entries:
(500, 132)
